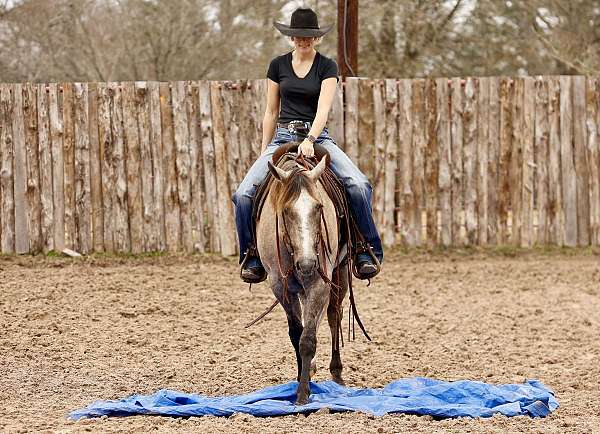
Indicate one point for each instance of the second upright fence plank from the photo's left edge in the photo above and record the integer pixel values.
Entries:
(20, 172)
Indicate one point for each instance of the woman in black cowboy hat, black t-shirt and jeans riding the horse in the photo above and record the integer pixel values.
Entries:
(300, 90)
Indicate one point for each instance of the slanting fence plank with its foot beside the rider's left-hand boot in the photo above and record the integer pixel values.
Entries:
(225, 224)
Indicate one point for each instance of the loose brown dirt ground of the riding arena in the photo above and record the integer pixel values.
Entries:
(76, 330)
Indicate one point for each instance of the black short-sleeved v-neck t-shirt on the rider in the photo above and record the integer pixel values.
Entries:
(300, 96)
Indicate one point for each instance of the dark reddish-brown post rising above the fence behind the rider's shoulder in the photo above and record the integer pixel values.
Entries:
(348, 39)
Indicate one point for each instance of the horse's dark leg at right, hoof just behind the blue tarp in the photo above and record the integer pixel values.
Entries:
(334, 317)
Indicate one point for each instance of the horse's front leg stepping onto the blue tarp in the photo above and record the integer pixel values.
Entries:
(314, 305)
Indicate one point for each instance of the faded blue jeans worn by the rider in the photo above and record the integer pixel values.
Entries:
(358, 190)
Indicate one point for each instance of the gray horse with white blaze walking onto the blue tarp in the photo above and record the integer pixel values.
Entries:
(301, 262)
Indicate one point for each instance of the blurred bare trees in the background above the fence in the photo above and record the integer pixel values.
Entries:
(114, 40)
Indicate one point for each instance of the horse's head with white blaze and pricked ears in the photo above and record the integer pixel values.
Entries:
(298, 206)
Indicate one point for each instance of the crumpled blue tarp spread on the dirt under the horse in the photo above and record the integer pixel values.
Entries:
(423, 396)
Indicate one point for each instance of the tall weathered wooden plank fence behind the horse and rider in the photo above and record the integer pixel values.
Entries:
(148, 166)
